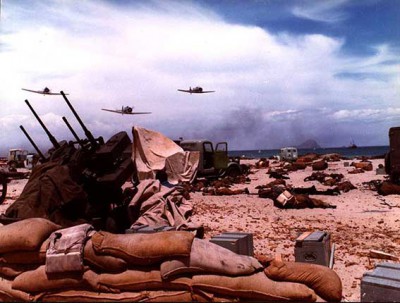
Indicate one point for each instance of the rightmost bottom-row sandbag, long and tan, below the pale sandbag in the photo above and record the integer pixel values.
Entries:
(254, 287)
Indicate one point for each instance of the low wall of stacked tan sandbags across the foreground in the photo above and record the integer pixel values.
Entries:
(166, 266)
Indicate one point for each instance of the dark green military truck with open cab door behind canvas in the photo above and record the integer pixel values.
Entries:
(214, 162)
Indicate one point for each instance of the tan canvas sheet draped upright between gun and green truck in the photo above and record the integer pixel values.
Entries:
(153, 152)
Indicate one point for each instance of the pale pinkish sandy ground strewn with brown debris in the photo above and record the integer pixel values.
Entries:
(363, 220)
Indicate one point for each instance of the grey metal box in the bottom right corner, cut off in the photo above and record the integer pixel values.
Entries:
(382, 284)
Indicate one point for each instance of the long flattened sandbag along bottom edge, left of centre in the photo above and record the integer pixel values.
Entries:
(90, 296)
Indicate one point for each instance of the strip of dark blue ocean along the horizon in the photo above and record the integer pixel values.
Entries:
(368, 151)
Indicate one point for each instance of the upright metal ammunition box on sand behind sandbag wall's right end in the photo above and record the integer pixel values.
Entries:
(313, 247)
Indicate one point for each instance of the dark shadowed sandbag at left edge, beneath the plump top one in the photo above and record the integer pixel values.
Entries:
(26, 257)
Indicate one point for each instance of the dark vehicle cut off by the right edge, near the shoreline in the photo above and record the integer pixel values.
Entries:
(392, 158)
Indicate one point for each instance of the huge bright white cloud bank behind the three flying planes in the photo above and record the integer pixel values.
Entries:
(107, 56)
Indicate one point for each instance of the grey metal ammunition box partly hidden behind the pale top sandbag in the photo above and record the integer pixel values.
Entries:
(238, 242)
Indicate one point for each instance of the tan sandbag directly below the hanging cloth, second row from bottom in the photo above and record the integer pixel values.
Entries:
(38, 281)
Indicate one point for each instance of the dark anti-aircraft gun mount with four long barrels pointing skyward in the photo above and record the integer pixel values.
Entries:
(101, 168)
